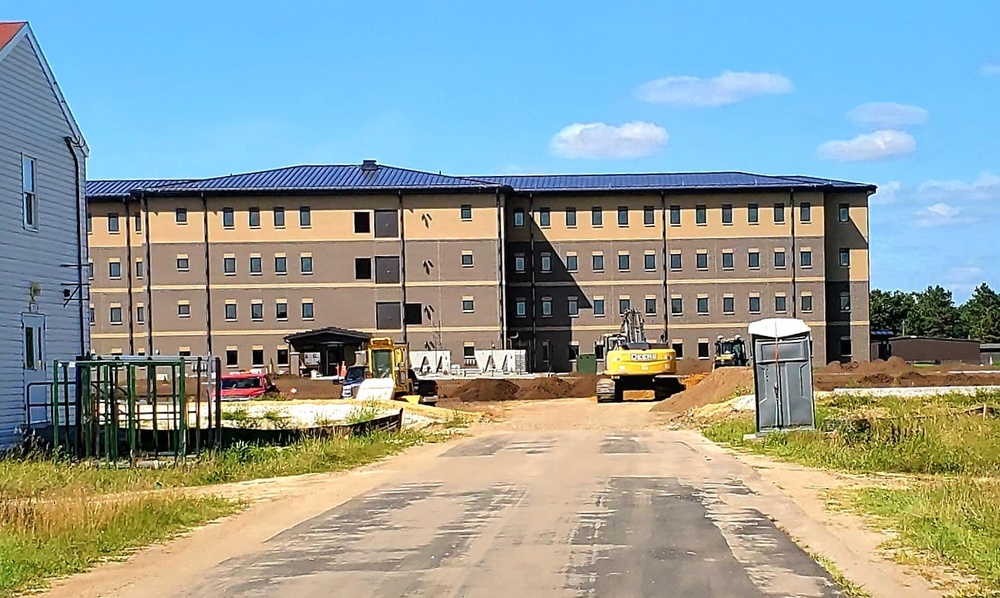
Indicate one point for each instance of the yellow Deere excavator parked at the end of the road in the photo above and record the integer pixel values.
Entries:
(635, 364)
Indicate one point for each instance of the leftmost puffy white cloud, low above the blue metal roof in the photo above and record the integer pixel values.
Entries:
(635, 139)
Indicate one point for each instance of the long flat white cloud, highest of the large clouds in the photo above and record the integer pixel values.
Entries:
(727, 88)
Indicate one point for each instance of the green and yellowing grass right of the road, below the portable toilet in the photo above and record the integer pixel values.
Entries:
(949, 511)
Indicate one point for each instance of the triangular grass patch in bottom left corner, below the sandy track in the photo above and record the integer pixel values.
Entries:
(44, 539)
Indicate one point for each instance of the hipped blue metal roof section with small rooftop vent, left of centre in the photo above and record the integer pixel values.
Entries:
(328, 178)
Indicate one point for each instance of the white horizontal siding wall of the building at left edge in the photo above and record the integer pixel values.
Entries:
(31, 121)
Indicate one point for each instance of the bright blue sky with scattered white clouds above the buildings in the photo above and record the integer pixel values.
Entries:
(191, 89)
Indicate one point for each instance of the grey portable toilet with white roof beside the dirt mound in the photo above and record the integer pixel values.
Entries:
(783, 385)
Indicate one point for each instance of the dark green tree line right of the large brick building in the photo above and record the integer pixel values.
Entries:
(933, 312)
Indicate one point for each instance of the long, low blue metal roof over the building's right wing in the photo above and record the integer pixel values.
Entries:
(657, 181)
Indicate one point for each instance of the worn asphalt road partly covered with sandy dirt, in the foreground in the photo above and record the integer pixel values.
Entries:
(576, 512)
